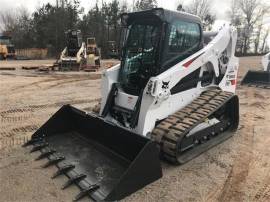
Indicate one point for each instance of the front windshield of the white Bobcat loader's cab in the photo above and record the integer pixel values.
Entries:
(139, 56)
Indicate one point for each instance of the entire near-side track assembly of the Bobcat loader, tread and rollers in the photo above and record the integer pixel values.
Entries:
(189, 132)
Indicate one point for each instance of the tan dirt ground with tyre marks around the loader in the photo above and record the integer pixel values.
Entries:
(236, 170)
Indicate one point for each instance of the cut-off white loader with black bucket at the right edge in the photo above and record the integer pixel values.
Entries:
(259, 79)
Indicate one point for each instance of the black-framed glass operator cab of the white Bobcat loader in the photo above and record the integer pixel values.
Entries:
(152, 42)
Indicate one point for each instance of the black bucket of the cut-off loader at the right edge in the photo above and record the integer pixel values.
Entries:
(257, 78)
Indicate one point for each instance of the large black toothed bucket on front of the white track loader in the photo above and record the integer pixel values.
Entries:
(107, 162)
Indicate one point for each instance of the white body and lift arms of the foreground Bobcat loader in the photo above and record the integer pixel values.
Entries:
(160, 94)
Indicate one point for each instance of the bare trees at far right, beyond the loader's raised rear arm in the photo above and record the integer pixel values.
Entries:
(247, 16)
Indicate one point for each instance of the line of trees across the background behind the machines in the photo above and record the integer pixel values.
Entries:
(46, 26)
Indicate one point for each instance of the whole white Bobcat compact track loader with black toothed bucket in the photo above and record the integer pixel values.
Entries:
(172, 97)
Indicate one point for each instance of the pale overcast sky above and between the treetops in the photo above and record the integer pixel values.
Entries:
(219, 7)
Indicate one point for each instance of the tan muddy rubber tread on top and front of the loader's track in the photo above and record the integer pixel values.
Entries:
(174, 128)
